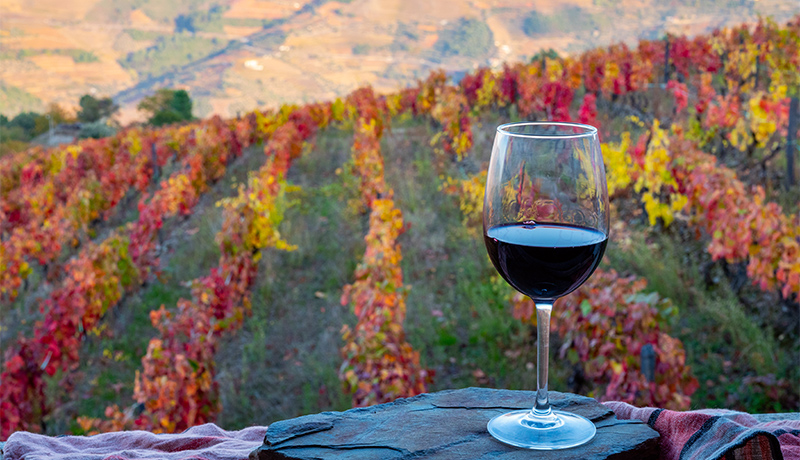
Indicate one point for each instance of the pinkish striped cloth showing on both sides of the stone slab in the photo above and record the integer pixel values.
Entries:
(696, 435)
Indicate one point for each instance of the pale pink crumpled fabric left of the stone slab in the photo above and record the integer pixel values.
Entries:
(204, 442)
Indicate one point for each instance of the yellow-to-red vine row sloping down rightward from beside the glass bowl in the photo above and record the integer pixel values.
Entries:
(673, 177)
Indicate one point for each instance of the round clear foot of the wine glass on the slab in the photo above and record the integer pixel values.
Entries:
(558, 430)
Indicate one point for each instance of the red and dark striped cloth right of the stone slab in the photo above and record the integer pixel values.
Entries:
(716, 434)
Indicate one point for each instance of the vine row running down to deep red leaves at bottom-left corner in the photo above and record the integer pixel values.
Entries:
(98, 277)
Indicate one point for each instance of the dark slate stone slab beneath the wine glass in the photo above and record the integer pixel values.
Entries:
(447, 425)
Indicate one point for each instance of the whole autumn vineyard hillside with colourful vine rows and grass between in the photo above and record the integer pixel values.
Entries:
(328, 255)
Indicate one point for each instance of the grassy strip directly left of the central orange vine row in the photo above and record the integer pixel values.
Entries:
(284, 361)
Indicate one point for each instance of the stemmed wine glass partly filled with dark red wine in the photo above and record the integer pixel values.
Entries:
(545, 224)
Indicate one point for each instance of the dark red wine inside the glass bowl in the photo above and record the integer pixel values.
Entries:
(543, 260)
